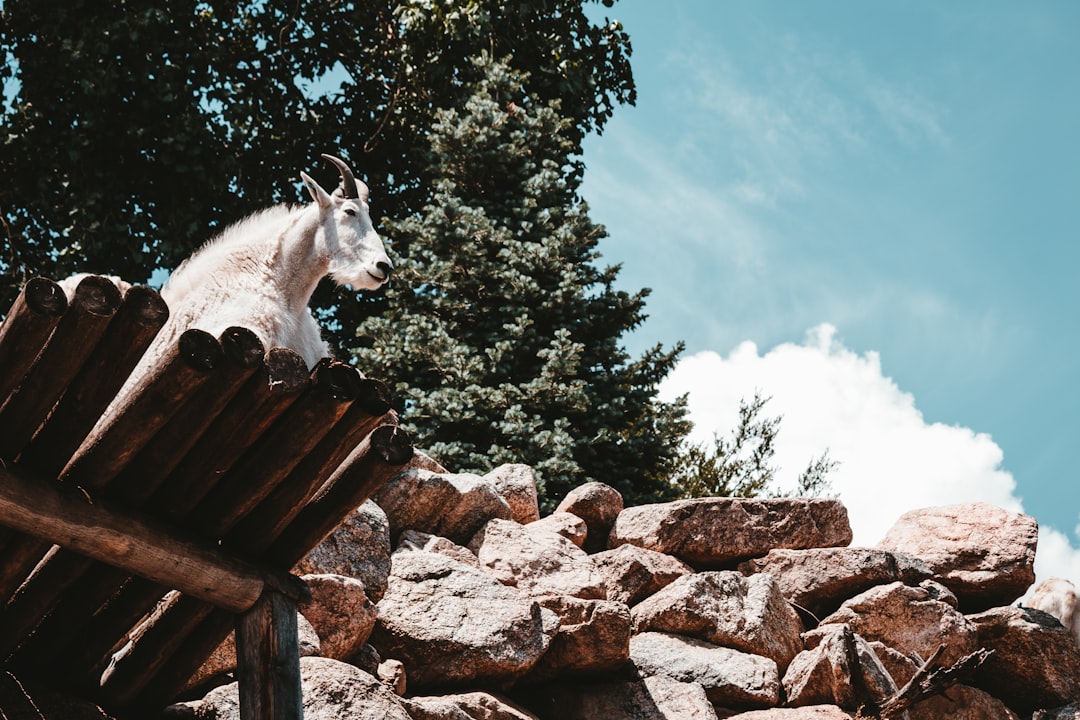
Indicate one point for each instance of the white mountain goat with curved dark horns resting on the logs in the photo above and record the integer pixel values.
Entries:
(261, 273)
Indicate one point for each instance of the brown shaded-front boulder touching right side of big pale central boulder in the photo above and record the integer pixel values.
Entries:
(593, 637)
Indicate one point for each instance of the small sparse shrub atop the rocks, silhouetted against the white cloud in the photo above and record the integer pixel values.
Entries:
(742, 465)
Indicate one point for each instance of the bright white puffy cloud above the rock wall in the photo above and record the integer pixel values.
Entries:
(893, 459)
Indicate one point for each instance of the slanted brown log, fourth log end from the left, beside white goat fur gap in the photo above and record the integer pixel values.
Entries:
(116, 440)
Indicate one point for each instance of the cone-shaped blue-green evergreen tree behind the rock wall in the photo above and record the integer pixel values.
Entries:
(502, 333)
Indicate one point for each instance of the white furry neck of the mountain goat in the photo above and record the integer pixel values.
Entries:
(303, 260)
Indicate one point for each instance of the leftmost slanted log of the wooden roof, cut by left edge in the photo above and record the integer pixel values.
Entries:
(31, 321)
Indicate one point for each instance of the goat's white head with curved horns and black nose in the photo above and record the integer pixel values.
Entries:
(357, 255)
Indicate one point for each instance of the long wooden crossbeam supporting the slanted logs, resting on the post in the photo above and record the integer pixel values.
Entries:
(72, 520)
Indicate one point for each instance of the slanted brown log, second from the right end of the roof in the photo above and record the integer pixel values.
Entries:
(278, 509)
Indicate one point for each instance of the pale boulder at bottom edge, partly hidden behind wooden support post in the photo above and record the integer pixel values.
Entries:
(332, 690)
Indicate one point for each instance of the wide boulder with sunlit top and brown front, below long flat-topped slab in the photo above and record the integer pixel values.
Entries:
(727, 609)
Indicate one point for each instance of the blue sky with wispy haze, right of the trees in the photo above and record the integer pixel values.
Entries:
(908, 174)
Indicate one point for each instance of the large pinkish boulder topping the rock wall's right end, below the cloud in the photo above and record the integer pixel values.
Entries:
(982, 553)
